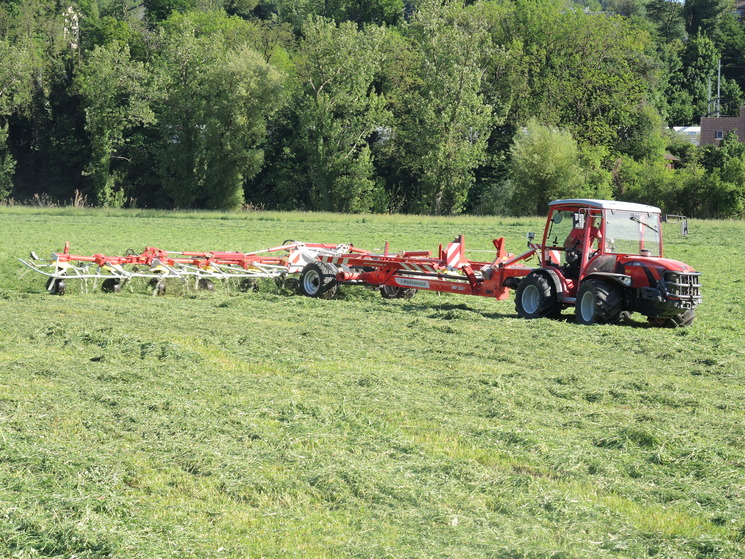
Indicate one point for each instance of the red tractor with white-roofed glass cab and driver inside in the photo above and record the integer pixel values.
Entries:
(605, 258)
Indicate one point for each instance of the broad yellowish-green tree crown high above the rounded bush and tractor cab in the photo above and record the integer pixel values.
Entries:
(588, 73)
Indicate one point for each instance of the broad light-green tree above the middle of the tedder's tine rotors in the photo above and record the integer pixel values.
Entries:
(212, 119)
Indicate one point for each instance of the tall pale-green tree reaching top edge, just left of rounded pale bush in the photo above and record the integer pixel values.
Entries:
(447, 123)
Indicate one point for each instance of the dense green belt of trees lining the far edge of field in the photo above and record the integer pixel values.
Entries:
(386, 106)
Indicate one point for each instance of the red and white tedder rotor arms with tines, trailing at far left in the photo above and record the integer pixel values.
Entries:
(195, 269)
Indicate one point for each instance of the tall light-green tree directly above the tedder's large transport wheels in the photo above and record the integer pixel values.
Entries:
(338, 110)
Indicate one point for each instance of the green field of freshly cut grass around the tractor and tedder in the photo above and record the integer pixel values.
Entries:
(227, 424)
